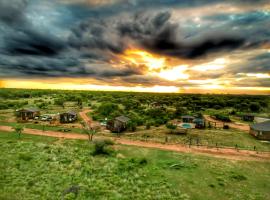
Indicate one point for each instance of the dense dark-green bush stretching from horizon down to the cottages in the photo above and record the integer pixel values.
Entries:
(149, 109)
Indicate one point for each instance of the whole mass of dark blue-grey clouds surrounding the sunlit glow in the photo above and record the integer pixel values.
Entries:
(88, 35)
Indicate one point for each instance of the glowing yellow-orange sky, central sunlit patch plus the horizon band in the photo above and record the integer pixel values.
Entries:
(172, 71)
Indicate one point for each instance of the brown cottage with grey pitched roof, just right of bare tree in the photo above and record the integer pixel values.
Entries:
(118, 124)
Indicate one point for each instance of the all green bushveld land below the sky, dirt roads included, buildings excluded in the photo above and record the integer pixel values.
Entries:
(211, 162)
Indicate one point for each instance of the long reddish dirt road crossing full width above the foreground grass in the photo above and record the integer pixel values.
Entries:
(220, 153)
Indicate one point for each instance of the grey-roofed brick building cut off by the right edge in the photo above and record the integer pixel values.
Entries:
(261, 130)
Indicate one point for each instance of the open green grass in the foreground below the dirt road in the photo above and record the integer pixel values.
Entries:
(35, 167)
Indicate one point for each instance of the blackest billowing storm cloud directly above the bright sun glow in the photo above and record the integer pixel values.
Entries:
(159, 35)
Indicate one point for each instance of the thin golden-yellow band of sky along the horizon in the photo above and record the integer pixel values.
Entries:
(65, 84)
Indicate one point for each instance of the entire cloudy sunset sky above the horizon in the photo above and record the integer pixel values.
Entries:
(136, 45)
